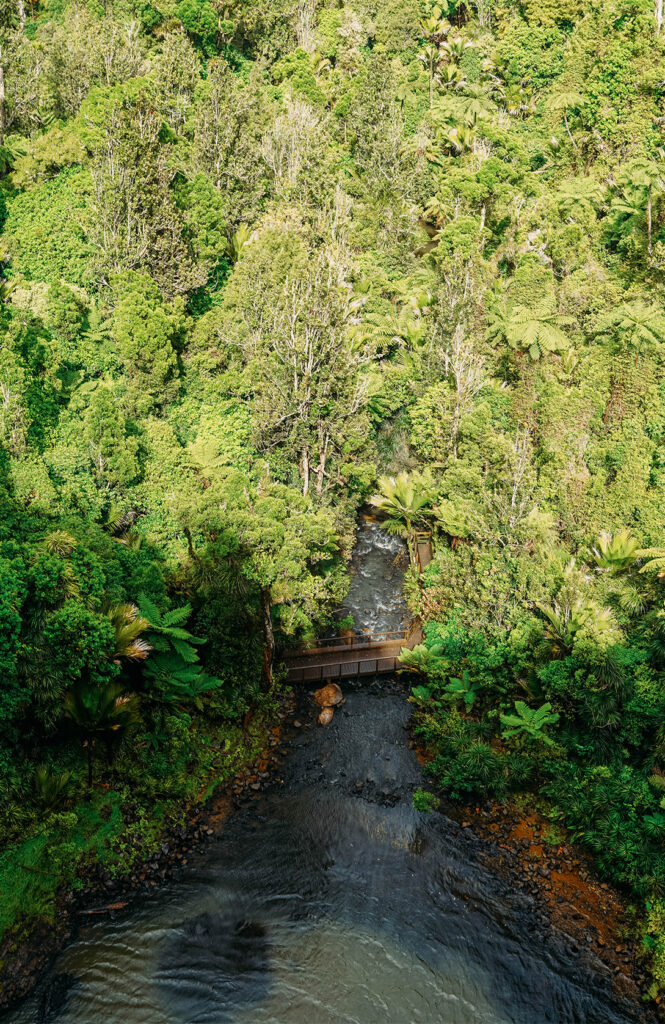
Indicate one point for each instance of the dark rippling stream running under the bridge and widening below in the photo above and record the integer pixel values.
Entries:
(327, 900)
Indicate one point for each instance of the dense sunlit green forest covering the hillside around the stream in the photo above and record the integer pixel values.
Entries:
(259, 258)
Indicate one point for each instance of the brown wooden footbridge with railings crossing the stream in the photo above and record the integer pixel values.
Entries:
(351, 656)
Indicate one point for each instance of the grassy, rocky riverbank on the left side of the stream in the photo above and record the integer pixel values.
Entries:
(137, 860)
